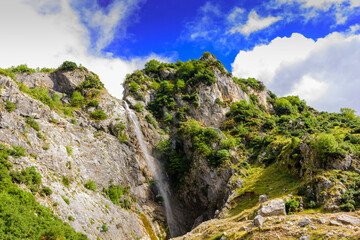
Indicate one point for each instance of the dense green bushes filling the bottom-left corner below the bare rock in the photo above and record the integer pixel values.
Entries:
(29, 219)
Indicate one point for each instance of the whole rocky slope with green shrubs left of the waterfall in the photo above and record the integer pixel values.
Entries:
(68, 145)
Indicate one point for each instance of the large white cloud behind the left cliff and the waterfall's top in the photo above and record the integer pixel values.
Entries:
(43, 35)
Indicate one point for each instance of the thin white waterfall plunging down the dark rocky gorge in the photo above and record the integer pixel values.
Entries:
(158, 173)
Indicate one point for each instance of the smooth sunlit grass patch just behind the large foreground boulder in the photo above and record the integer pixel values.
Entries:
(269, 181)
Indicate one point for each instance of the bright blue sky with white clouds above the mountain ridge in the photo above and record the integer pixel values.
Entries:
(309, 48)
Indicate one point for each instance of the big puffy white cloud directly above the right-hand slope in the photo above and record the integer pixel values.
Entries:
(324, 72)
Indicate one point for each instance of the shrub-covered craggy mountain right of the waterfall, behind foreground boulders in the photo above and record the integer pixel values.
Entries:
(230, 140)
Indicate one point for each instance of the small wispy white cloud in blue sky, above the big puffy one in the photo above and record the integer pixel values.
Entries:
(254, 23)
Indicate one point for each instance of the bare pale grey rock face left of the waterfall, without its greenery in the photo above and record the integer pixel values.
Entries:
(81, 149)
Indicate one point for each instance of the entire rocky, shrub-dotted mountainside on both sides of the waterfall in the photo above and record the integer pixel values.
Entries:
(224, 144)
